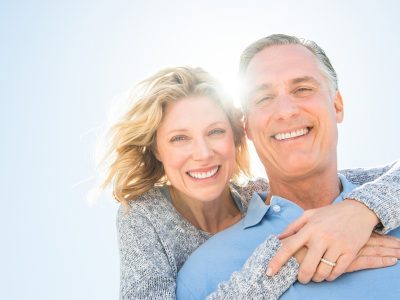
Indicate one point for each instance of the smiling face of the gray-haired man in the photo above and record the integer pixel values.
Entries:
(292, 115)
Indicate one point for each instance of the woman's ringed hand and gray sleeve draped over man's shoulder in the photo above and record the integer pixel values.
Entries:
(344, 228)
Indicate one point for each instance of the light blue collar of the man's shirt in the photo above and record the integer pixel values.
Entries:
(258, 209)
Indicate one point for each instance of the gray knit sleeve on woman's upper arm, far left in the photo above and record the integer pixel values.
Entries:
(145, 269)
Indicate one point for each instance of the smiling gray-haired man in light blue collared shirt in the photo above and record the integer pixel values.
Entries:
(292, 109)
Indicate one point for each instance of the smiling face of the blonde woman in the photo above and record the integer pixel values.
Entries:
(195, 144)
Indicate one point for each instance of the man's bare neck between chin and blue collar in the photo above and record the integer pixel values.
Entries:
(309, 192)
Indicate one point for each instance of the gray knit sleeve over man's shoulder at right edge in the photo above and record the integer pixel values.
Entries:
(379, 191)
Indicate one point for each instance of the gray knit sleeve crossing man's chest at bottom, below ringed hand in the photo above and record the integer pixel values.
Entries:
(251, 282)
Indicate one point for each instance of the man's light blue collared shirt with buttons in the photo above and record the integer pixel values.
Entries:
(227, 251)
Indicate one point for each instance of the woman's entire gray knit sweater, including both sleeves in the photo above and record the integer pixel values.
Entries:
(155, 241)
